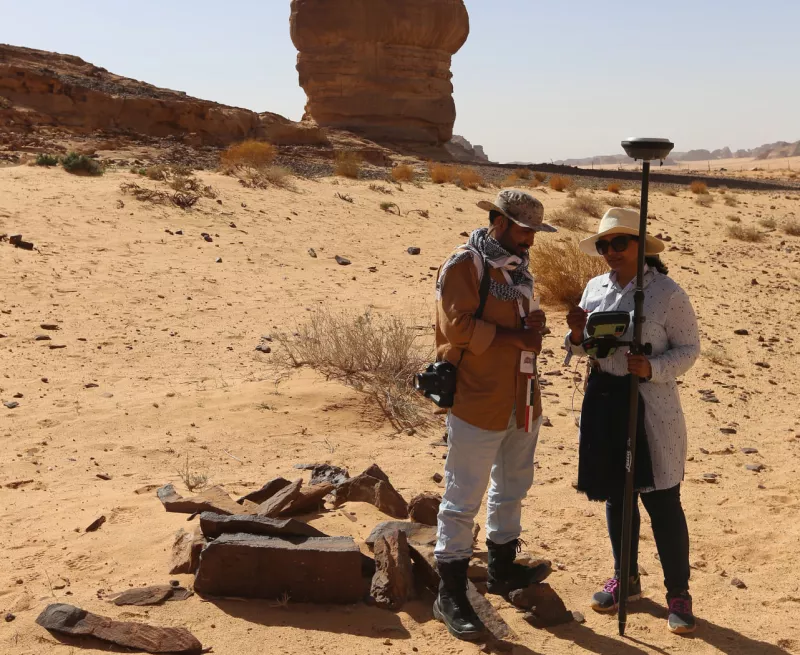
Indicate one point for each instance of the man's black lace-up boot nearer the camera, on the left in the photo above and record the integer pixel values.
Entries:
(452, 607)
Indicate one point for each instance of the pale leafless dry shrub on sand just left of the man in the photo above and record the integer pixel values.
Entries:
(376, 355)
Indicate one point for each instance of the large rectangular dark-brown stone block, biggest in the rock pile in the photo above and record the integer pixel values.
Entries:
(311, 570)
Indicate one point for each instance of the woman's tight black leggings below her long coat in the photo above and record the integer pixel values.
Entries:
(669, 530)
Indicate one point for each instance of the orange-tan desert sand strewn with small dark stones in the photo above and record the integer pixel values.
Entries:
(168, 336)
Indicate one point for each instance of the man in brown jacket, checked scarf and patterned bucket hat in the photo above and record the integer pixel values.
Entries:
(488, 331)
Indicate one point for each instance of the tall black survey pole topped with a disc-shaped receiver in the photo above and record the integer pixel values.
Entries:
(646, 150)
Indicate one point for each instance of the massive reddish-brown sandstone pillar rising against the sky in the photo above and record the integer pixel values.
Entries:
(380, 68)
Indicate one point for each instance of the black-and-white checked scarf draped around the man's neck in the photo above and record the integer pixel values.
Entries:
(489, 249)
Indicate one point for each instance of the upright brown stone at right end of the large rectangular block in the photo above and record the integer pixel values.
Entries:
(393, 582)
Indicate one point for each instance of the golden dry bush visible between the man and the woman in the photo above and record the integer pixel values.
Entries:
(562, 271)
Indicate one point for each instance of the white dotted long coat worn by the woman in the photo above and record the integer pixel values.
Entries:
(671, 328)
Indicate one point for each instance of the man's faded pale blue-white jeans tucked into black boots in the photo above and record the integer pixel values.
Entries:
(474, 457)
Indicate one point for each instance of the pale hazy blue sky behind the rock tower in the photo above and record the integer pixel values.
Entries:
(536, 81)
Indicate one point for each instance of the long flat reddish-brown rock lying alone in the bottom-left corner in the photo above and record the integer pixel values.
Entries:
(68, 619)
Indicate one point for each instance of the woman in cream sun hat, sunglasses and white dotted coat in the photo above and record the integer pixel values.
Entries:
(671, 328)
